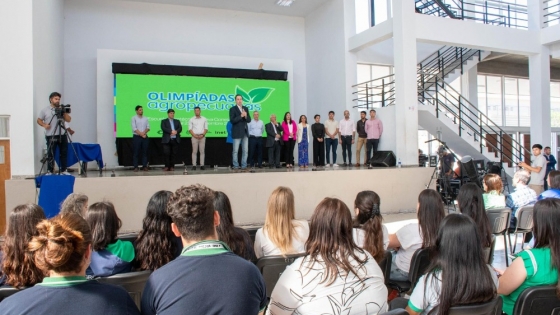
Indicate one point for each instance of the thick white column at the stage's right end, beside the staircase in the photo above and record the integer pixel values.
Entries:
(406, 108)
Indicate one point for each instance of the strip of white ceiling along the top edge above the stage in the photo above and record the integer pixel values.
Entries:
(299, 8)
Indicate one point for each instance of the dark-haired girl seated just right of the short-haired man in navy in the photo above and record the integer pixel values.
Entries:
(236, 238)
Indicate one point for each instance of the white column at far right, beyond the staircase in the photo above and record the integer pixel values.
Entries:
(539, 81)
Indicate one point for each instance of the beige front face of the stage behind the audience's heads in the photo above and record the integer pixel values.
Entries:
(248, 191)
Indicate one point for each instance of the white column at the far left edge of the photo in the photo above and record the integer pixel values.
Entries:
(16, 81)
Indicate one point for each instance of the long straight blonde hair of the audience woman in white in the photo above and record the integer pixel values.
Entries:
(278, 224)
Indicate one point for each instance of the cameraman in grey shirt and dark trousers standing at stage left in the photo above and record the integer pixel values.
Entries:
(48, 119)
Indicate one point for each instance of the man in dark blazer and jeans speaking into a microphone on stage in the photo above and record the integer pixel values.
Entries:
(239, 118)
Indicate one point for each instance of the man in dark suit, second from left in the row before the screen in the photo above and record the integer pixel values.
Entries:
(171, 128)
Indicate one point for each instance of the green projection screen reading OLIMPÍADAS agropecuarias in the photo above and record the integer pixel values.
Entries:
(215, 96)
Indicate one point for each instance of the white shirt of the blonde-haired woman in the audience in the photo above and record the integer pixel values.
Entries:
(265, 247)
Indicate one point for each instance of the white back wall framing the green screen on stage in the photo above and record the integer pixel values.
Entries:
(91, 25)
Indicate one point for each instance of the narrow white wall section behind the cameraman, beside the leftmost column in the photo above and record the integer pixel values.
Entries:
(48, 69)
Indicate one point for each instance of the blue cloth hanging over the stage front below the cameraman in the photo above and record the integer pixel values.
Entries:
(53, 190)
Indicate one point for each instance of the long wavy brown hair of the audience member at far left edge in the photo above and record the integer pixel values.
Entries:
(17, 266)
